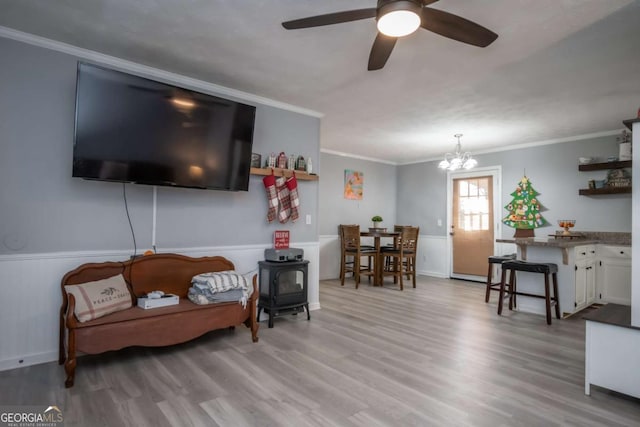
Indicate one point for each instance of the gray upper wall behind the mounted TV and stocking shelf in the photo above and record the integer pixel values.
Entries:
(43, 209)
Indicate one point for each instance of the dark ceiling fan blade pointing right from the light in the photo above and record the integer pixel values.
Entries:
(456, 28)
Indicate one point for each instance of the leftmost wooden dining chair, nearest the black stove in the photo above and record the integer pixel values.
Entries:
(351, 253)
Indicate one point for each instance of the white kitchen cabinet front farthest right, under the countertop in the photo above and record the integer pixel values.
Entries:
(614, 275)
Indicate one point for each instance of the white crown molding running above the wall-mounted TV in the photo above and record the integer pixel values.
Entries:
(150, 72)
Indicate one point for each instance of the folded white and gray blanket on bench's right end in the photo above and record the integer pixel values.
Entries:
(207, 288)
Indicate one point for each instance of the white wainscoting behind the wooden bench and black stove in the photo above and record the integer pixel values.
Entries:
(30, 295)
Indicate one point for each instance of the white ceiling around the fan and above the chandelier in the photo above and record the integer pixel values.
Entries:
(559, 69)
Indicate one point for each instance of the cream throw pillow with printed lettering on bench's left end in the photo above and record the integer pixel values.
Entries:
(99, 298)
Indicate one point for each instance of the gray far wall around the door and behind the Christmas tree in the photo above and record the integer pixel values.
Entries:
(553, 171)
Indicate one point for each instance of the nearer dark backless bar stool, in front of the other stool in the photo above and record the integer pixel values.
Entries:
(530, 267)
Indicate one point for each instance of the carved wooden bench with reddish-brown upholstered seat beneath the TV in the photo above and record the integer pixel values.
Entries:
(155, 327)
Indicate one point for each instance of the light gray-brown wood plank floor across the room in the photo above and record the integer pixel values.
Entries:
(435, 355)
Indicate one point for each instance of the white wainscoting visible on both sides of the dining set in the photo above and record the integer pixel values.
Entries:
(433, 258)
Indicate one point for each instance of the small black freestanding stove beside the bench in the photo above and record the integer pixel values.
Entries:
(283, 288)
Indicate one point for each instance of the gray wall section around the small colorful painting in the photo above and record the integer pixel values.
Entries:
(379, 193)
